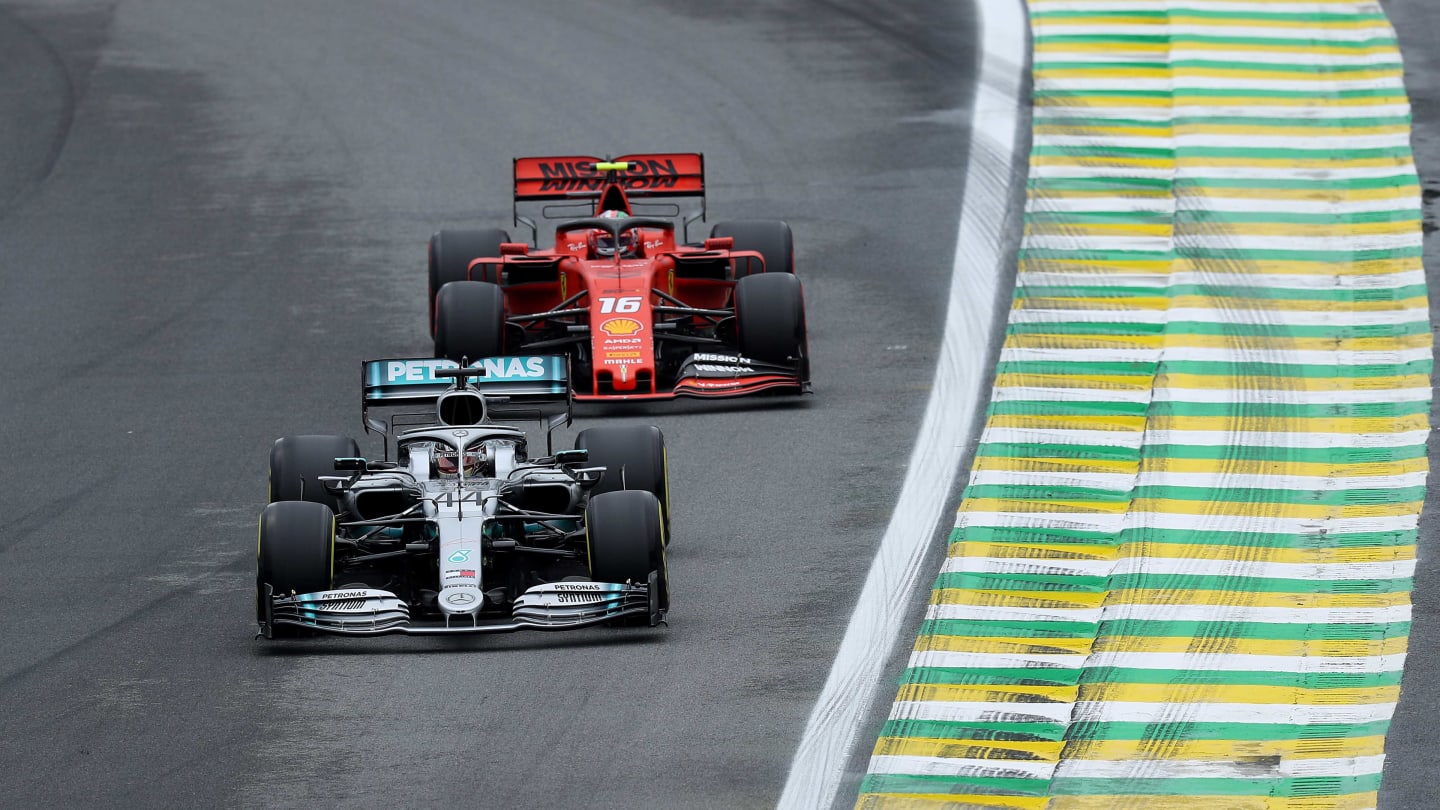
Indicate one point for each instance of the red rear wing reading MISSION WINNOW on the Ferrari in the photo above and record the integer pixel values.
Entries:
(672, 174)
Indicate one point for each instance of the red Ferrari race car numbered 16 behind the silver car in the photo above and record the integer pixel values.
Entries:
(643, 312)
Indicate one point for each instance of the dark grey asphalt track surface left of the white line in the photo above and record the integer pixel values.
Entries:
(212, 211)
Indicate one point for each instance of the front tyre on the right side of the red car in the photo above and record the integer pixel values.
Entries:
(770, 315)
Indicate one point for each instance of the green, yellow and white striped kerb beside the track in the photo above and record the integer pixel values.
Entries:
(1182, 570)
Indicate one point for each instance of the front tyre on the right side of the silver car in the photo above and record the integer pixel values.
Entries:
(626, 540)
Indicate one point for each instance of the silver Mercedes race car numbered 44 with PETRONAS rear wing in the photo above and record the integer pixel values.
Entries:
(464, 531)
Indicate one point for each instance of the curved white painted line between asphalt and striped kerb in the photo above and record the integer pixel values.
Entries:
(888, 595)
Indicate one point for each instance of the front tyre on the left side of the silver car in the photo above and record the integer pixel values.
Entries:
(296, 553)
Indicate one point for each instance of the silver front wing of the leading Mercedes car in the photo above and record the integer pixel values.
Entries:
(368, 612)
